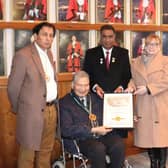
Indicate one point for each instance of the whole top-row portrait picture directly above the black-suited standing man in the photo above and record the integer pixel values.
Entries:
(110, 11)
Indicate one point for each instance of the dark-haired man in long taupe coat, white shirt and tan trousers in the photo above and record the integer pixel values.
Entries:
(32, 91)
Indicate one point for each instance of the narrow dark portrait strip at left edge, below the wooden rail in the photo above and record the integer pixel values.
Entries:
(1, 54)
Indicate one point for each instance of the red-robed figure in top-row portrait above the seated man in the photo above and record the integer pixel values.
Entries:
(77, 10)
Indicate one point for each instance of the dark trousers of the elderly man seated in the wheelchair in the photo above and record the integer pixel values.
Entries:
(97, 149)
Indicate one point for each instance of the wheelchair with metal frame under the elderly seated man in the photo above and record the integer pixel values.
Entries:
(75, 155)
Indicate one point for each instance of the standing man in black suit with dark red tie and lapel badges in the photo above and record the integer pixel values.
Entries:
(110, 78)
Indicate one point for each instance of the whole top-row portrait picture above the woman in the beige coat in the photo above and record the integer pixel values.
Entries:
(143, 11)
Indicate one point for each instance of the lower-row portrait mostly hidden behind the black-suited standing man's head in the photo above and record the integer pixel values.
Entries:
(119, 38)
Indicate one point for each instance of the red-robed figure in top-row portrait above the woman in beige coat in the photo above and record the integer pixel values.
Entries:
(146, 12)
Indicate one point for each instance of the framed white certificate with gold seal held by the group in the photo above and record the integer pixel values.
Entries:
(118, 110)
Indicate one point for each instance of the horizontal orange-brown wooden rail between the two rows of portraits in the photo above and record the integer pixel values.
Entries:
(85, 26)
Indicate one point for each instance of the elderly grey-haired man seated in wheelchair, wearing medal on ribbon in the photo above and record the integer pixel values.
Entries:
(83, 122)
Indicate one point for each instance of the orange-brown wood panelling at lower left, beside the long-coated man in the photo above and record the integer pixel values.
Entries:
(8, 144)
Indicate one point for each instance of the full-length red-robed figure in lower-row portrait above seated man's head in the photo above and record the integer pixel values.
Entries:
(74, 54)
